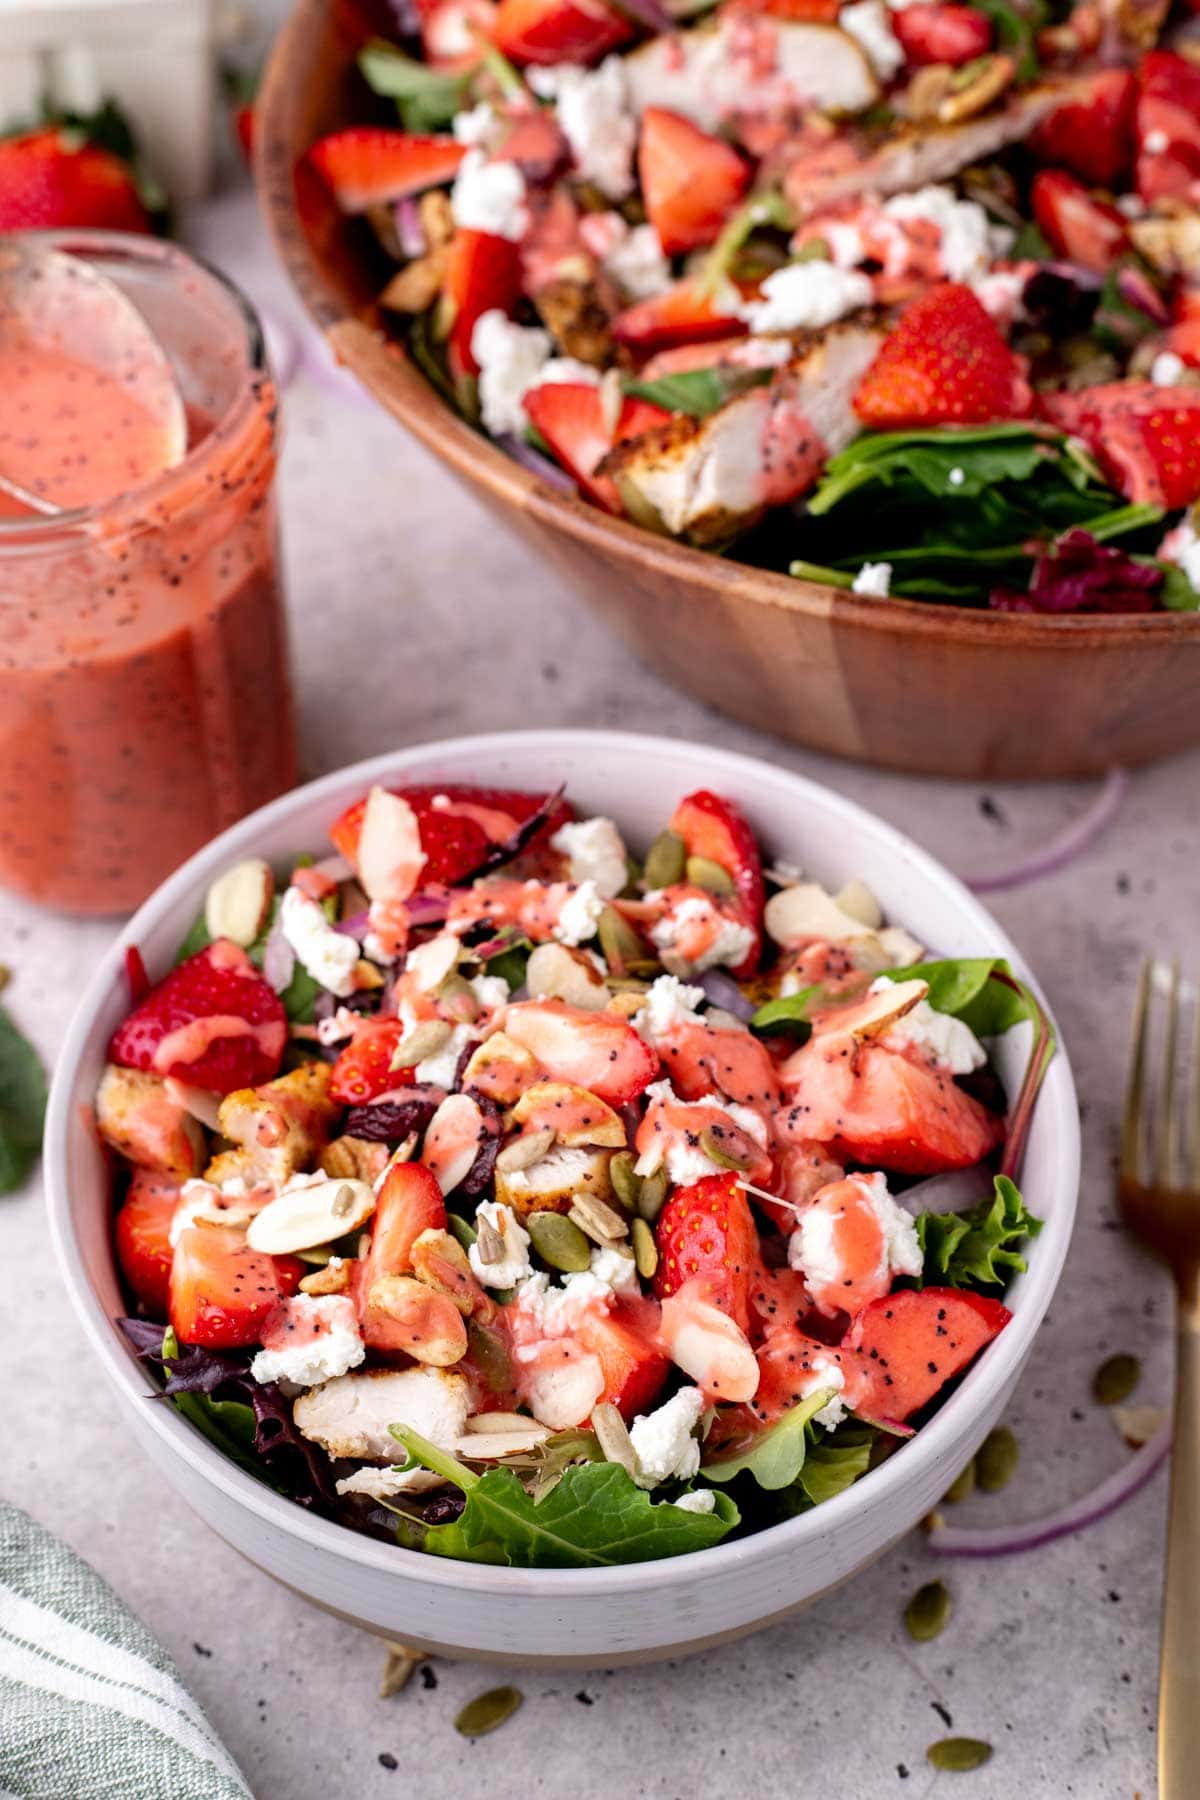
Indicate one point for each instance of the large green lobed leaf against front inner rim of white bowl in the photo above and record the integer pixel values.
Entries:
(595, 1516)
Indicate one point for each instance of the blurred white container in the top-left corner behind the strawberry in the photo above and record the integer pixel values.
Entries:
(156, 58)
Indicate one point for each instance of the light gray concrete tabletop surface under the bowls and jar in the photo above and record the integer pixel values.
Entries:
(416, 618)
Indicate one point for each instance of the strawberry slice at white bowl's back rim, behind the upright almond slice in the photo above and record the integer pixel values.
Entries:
(458, 825)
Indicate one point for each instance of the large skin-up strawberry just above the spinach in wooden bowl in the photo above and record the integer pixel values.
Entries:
(944, 364)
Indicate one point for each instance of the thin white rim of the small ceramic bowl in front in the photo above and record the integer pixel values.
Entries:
(981, 1385)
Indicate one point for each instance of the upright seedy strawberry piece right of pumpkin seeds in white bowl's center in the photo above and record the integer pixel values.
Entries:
(706, 1232)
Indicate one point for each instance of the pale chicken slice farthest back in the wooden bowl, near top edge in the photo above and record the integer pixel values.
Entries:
(751, 66)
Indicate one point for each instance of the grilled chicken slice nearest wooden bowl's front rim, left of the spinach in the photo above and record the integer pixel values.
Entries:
(712, 480)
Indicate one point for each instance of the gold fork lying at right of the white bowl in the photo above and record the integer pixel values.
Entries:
(1160, 1192)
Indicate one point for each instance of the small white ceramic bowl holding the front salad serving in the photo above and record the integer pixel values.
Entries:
(582, 1617)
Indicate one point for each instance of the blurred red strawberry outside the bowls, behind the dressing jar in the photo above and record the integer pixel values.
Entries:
(51, 181)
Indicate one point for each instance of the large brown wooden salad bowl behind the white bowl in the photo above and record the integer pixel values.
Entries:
(899, 683)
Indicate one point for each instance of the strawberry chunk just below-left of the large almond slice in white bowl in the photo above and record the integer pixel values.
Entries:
(222, 1291)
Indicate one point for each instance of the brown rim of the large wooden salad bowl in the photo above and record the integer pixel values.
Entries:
(386, 370)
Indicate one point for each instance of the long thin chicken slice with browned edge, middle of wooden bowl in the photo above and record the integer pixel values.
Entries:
(855, 166)
